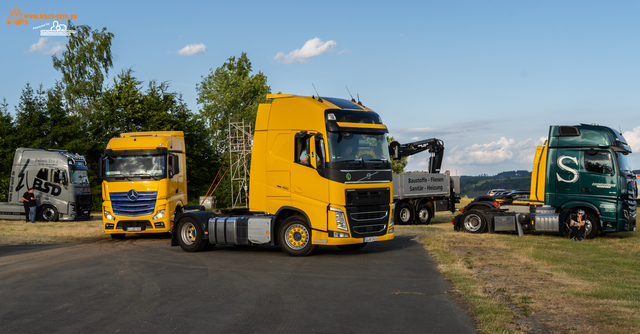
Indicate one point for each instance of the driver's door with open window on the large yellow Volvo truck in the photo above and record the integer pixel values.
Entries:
(309, 188)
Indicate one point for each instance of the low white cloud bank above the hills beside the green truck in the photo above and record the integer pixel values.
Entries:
(497, 152)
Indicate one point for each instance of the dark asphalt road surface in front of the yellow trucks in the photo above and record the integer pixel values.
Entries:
(143, 285)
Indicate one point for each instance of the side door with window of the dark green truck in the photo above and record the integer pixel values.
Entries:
(598, 182)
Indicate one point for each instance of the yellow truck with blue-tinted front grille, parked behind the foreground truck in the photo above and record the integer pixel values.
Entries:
(144, 182)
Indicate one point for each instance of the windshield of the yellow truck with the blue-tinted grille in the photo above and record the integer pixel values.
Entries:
(136, 166)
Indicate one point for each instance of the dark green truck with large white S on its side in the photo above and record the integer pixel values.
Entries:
(582, 167)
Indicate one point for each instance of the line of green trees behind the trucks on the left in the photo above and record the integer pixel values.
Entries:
(82, 112)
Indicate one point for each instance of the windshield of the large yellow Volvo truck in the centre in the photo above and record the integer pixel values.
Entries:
(346, 146)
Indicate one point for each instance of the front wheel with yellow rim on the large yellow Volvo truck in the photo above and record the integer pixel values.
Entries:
(295, 237)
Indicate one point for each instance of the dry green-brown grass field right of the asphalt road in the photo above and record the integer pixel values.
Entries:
(540, 283)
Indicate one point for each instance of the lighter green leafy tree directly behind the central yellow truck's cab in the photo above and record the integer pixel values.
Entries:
(231, 93)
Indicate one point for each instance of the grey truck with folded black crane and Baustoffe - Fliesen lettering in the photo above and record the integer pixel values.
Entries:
(419, 195)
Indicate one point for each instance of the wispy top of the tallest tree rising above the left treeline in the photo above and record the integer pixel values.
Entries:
(84, 64)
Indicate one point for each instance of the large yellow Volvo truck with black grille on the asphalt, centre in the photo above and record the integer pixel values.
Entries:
(320, 175)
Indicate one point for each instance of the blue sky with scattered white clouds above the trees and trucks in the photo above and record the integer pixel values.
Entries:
(487, 77)
